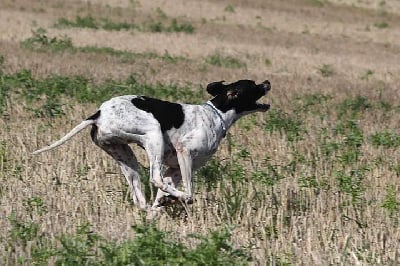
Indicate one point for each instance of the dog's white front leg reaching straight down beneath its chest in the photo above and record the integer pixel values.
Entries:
(185, 163)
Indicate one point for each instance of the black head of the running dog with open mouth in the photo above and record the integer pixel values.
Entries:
(241, 96)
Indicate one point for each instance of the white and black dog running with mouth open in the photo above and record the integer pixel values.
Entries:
(180, 136)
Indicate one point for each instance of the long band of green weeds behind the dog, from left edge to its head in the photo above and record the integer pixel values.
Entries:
(82, 89)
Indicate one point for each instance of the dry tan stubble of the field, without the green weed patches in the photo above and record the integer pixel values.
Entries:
(287, 42)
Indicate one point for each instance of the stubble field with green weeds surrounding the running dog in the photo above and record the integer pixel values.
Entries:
(313, 181)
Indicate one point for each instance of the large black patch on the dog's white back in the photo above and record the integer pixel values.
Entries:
(167, 114)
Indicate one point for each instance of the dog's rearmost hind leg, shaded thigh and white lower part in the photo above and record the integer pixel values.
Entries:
(127, 161)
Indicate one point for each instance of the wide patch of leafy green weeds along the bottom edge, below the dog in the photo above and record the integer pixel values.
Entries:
(149, 247)
